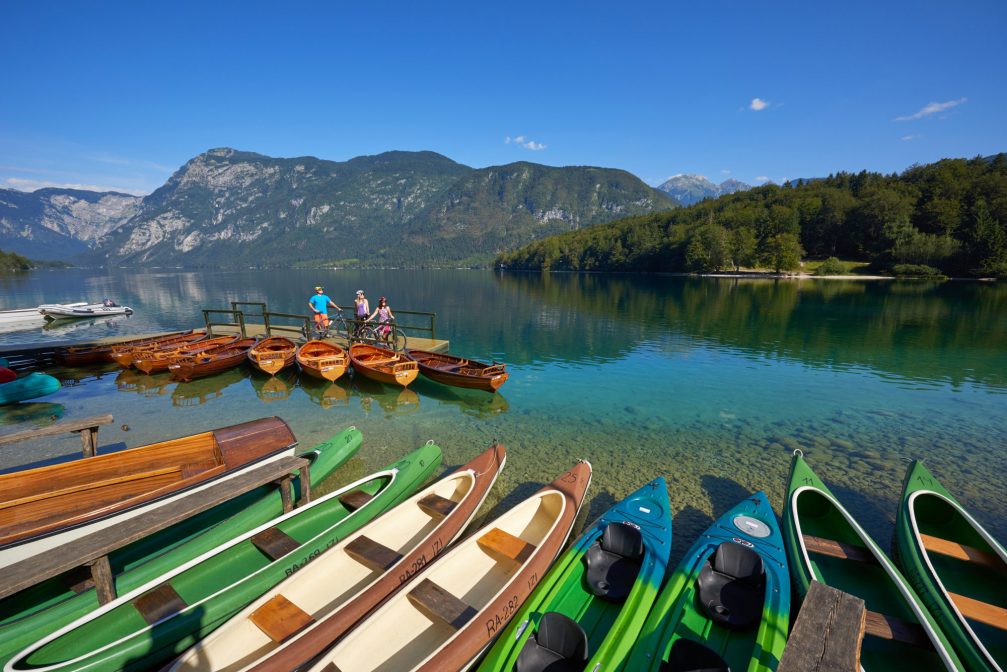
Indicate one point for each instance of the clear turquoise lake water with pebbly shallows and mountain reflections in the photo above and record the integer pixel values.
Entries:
(710, 383)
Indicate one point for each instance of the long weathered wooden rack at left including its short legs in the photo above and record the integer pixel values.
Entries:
(92, 552)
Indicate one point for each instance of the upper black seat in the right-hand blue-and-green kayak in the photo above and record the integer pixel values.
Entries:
(732, 587)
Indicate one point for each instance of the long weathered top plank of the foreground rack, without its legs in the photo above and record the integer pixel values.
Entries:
(31, 572)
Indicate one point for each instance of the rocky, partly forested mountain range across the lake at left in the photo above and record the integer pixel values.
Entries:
(230, 208)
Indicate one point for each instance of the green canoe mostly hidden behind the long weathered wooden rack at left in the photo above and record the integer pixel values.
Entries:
(33, 614)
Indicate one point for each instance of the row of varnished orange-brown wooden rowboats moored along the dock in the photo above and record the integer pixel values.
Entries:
(191, 355)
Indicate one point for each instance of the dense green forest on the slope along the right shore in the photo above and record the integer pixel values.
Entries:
(948, 218)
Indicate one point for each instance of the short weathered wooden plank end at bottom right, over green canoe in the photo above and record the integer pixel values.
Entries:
(828, 633)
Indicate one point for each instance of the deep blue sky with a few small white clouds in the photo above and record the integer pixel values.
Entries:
(120, 95)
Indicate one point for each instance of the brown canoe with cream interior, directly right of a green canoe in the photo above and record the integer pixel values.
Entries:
(301, 618)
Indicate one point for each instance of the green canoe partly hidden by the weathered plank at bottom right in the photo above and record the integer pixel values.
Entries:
(826, 545)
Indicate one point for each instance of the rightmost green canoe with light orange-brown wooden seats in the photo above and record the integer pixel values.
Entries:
(958, 569)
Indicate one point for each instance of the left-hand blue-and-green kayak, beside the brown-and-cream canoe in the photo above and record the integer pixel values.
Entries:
(596, 599)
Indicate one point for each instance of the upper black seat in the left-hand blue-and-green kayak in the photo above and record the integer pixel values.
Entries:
(614, 563)
